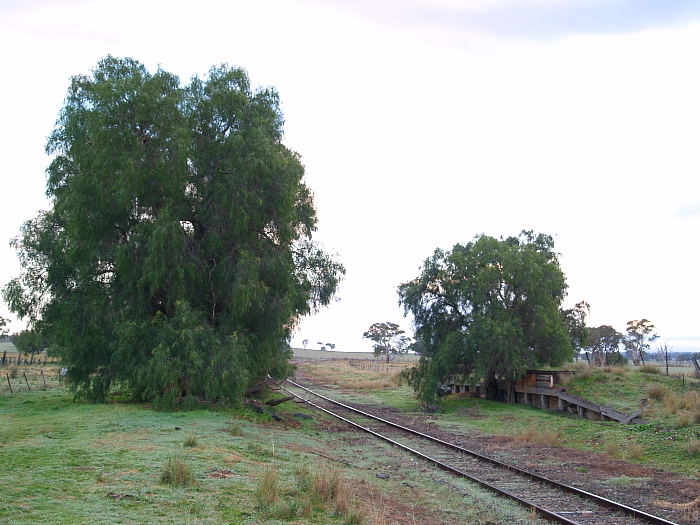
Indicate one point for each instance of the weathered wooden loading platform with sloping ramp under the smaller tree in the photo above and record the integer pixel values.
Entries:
(537, 389)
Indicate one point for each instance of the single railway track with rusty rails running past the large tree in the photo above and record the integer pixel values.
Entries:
(551, 500)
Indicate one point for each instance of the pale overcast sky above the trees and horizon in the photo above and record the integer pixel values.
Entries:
(423, 123)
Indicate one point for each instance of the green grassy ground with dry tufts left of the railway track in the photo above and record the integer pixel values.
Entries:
(71, 463)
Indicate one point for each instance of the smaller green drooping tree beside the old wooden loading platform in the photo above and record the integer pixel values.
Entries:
(488, 310)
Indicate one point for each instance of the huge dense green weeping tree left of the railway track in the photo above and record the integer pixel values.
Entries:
(177, 256)
